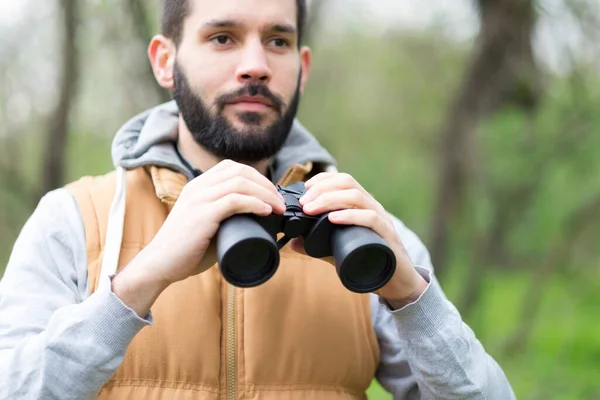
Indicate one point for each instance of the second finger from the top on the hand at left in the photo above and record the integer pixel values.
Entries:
(245, 186)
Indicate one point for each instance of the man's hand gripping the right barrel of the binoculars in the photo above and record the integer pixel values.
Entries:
(350, 204)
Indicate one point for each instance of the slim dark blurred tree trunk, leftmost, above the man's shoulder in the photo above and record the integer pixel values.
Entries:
(53, 168)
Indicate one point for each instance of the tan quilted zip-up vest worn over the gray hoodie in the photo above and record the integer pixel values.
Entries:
(301, 335)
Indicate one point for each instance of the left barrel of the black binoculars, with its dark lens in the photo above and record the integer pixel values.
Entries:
(248, 256)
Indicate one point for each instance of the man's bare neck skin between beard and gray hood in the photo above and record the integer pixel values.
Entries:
(201, 158)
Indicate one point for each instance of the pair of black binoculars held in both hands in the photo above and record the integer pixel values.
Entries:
(248, 250)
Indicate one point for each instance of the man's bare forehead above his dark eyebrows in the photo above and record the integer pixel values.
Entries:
(250, 12)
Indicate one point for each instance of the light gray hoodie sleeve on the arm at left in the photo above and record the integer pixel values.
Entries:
(53, 344)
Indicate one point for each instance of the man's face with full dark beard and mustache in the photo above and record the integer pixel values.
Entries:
(237, 76)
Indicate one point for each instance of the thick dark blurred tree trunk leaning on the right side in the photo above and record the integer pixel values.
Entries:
(502, 71)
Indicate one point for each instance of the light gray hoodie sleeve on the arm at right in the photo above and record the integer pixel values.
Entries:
(427, 351)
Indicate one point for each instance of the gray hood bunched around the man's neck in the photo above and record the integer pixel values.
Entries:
(147, 139)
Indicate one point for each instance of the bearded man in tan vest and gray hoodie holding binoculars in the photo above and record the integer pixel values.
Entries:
(112, 289)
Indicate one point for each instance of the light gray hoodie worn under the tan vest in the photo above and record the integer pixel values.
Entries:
(58, 342)
